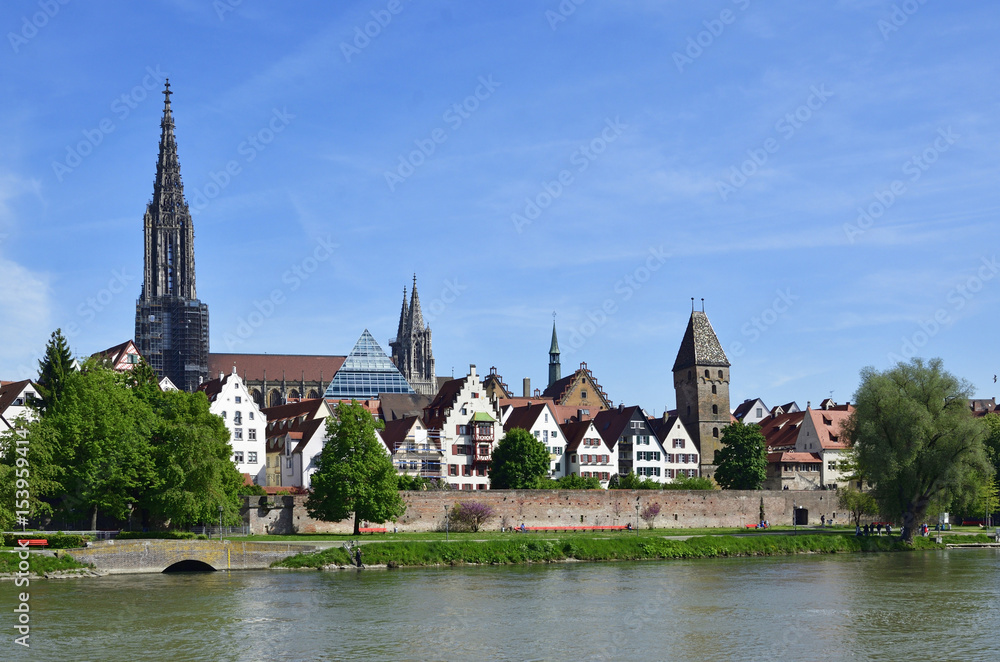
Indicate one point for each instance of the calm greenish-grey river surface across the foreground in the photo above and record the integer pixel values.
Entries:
(942, 605)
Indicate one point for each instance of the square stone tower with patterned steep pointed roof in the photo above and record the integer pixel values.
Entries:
(701, 382)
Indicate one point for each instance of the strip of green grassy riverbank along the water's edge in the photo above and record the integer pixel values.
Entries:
(526, 550)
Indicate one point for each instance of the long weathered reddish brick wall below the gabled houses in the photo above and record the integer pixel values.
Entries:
(678, 509)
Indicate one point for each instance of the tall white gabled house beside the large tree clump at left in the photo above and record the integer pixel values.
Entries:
(229, 398)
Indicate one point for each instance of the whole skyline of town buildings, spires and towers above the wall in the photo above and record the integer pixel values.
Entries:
(276, 405)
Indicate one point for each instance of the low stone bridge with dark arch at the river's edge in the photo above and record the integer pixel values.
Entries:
(139, 556)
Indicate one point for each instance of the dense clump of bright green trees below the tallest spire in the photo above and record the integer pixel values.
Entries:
(112, 443)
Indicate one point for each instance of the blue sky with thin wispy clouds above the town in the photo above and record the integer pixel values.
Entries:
(823, 174)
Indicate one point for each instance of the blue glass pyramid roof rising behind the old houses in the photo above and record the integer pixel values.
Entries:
(366, 372)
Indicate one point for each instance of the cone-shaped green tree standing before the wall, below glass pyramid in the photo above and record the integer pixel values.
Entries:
(355, 475)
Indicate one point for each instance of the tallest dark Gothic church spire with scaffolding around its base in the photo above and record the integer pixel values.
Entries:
(171, 324)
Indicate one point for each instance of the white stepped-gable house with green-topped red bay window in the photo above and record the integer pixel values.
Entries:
(466, 423)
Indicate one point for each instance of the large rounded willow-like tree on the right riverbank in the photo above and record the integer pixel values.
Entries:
(916, 440)
